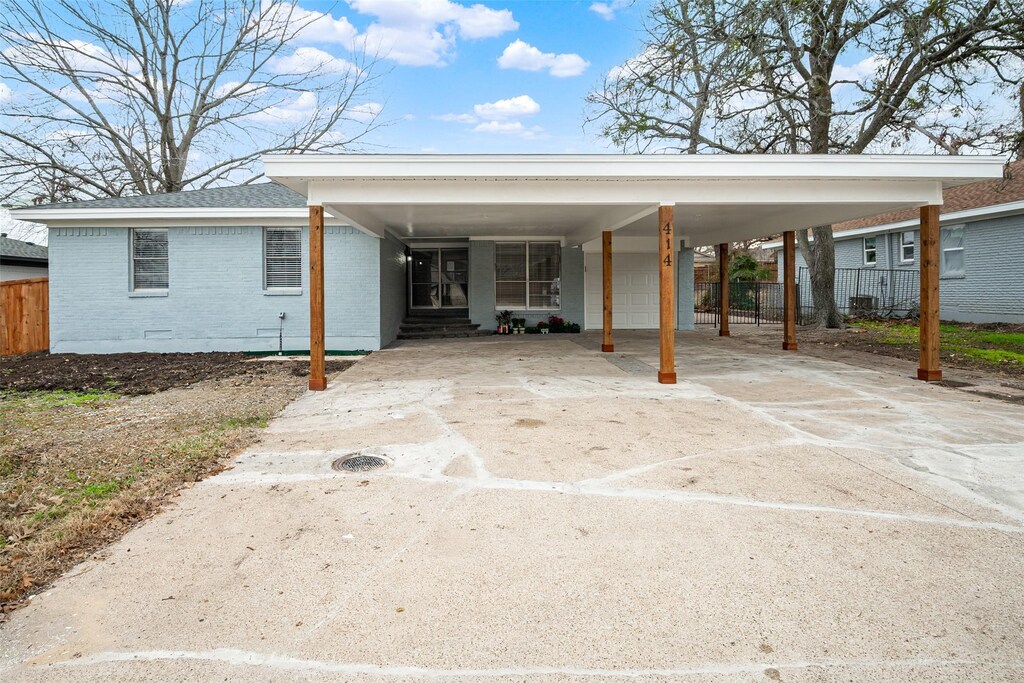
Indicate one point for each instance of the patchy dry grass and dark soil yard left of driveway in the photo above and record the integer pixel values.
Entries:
(91, 446)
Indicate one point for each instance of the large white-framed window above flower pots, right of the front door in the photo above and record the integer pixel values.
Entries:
(528, 275)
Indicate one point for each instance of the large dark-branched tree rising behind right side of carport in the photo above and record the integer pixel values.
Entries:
(766, 76)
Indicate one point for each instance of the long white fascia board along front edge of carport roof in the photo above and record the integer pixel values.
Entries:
(950, 170)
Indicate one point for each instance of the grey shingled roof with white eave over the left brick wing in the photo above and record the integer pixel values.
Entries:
(262, 196)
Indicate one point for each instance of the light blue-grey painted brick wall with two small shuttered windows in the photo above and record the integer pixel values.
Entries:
(216, 300)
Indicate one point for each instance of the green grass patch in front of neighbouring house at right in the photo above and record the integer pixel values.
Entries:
(977, 346)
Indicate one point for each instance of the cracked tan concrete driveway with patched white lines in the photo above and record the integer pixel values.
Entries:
(553, 514)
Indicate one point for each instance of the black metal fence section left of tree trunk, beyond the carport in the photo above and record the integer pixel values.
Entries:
(750, 304)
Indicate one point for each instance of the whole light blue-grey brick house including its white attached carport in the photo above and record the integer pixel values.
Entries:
(342, 248)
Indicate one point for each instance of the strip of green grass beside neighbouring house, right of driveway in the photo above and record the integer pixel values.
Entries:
(994, 349)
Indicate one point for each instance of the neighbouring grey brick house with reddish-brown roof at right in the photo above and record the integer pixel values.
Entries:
(982, 254)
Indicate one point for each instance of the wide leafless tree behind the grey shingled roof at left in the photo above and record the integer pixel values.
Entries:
(108, 99)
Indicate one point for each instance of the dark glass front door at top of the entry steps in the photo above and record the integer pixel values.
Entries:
(440, 279)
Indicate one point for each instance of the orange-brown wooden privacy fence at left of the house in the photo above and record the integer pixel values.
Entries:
(25, 316)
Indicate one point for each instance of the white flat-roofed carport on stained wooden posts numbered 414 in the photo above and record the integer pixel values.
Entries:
(690, 201)
